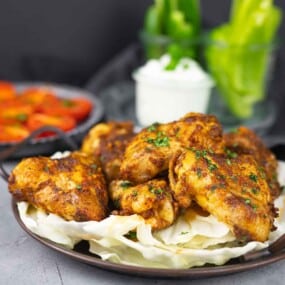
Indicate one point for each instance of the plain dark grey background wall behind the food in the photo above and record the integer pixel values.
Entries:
(67, 41)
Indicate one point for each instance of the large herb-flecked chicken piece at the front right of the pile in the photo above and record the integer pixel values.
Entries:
(234, 190)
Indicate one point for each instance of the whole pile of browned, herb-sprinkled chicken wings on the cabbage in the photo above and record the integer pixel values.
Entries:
(158, 173)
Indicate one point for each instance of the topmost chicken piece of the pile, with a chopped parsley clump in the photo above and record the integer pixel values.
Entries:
(148, 154)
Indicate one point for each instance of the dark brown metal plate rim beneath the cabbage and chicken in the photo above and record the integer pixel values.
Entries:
(81, 254)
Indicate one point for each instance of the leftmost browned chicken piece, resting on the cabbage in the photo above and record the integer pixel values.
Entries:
(72, 187)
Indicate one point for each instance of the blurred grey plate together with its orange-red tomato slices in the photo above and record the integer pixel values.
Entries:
(26, 107)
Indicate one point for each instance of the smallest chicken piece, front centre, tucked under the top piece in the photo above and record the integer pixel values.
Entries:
(151, 200)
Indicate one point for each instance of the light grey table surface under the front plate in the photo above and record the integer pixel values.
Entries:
(24, 260)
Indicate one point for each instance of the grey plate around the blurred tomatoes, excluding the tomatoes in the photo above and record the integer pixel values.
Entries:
(49, 145)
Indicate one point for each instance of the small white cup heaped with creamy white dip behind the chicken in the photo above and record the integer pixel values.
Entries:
(163, 95)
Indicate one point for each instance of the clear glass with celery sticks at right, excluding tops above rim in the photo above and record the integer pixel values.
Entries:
(243, 75)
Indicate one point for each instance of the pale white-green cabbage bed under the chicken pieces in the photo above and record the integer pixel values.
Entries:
(187, 243)
